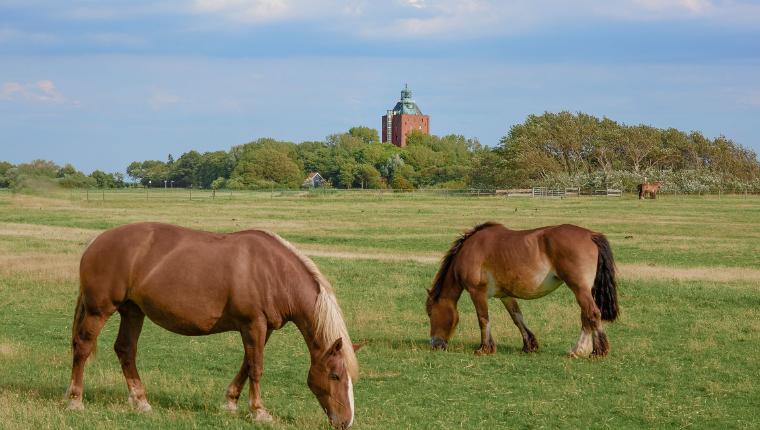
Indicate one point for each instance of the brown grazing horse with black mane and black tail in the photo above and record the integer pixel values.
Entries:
(493, 261)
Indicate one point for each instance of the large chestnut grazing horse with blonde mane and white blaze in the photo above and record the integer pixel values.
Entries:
(197, 283)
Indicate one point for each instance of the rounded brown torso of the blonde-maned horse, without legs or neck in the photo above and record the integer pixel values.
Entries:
(187, 281)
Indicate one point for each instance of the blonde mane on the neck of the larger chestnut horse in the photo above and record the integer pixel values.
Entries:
(327, 314)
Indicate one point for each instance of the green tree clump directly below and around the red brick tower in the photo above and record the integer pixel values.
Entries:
(355, 159)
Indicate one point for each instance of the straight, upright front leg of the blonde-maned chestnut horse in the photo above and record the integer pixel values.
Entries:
(254, 340)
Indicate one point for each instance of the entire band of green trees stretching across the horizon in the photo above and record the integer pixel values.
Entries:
(551, 149)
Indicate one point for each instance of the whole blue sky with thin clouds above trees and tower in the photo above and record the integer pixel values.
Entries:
(99, 84)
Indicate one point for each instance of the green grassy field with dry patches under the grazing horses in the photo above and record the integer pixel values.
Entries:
(685, 352)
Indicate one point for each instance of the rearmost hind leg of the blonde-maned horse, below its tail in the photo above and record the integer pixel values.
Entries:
(87, 326)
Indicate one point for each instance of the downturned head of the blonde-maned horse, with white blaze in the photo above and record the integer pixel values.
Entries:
(330, 381)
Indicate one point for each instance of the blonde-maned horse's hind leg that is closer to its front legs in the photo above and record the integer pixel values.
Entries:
(125, 347)
